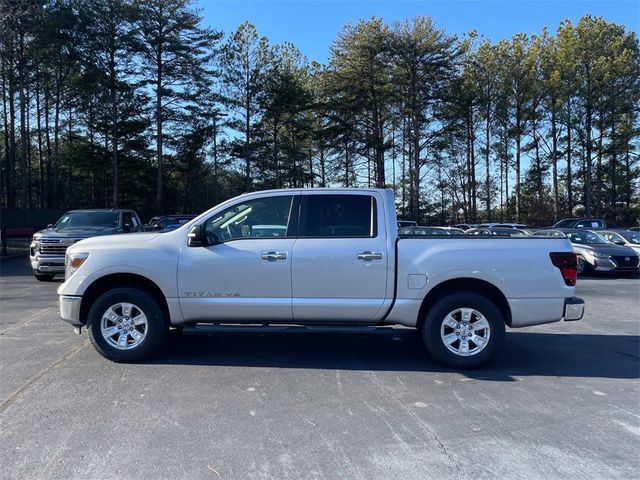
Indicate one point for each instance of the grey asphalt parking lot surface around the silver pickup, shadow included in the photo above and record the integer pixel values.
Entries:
(562, 401)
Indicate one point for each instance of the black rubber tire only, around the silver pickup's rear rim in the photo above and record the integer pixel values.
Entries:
(433, 322)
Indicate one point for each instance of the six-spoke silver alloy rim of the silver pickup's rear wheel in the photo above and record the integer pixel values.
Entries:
(465, 332)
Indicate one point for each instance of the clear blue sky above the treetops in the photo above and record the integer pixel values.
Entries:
(312, 25)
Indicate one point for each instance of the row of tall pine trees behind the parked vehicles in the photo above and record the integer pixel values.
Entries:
(135, 103)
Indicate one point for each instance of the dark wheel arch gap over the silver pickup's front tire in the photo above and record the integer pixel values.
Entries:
(117, 280)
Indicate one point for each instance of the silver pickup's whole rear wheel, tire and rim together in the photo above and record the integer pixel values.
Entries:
(463, 330)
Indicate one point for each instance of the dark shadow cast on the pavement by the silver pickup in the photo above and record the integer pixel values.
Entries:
(524, 353)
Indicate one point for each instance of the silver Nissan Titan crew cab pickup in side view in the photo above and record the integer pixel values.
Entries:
(330, 259)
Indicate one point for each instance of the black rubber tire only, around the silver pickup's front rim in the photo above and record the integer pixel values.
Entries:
(155, 331)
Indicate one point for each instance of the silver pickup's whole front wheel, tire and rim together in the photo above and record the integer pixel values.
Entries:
(126, 325)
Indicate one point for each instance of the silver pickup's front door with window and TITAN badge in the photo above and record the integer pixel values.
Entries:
(245, 274)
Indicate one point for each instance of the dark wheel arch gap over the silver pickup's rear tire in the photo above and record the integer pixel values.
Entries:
(474, 285)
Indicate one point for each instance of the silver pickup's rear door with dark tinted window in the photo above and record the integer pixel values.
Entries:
(340, 259)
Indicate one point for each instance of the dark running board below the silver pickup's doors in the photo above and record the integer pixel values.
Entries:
(206, 329)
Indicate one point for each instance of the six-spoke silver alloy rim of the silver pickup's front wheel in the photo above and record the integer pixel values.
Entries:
(124, 326)
